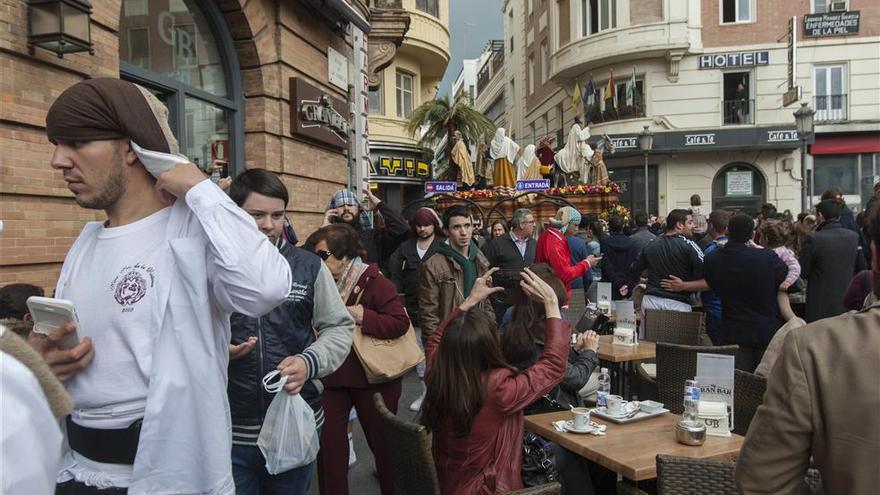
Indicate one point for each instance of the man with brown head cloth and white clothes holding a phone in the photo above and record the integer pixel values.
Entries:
(153, 288)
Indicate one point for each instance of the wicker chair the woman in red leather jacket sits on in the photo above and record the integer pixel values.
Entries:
(410, 448)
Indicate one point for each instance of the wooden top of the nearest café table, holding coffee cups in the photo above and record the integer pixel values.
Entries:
(630, 449)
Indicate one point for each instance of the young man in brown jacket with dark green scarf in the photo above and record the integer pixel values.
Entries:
(447, 278)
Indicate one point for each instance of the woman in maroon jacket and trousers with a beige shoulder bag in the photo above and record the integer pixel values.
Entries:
(373, 303)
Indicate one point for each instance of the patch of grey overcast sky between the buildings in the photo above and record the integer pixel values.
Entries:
(471, 24)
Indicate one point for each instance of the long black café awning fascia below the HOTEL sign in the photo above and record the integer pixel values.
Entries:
(707, 140)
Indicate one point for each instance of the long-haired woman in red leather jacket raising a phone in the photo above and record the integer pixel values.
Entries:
(474, 401)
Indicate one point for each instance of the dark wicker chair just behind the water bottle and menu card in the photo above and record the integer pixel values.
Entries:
(677, 363)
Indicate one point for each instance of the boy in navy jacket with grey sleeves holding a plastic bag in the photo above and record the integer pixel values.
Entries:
(305, 338)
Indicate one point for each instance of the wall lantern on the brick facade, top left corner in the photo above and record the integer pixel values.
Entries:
(60, 26)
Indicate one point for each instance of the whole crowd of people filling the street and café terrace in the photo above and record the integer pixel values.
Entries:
(188, 295)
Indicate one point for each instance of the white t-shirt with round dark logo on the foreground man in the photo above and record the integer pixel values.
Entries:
(113, 289)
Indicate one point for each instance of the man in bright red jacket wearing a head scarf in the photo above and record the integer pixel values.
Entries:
(553, 249)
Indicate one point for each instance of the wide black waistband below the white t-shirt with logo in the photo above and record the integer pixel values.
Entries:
(117, 446)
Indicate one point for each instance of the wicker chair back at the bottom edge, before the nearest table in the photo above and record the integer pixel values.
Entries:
(688, 476)
